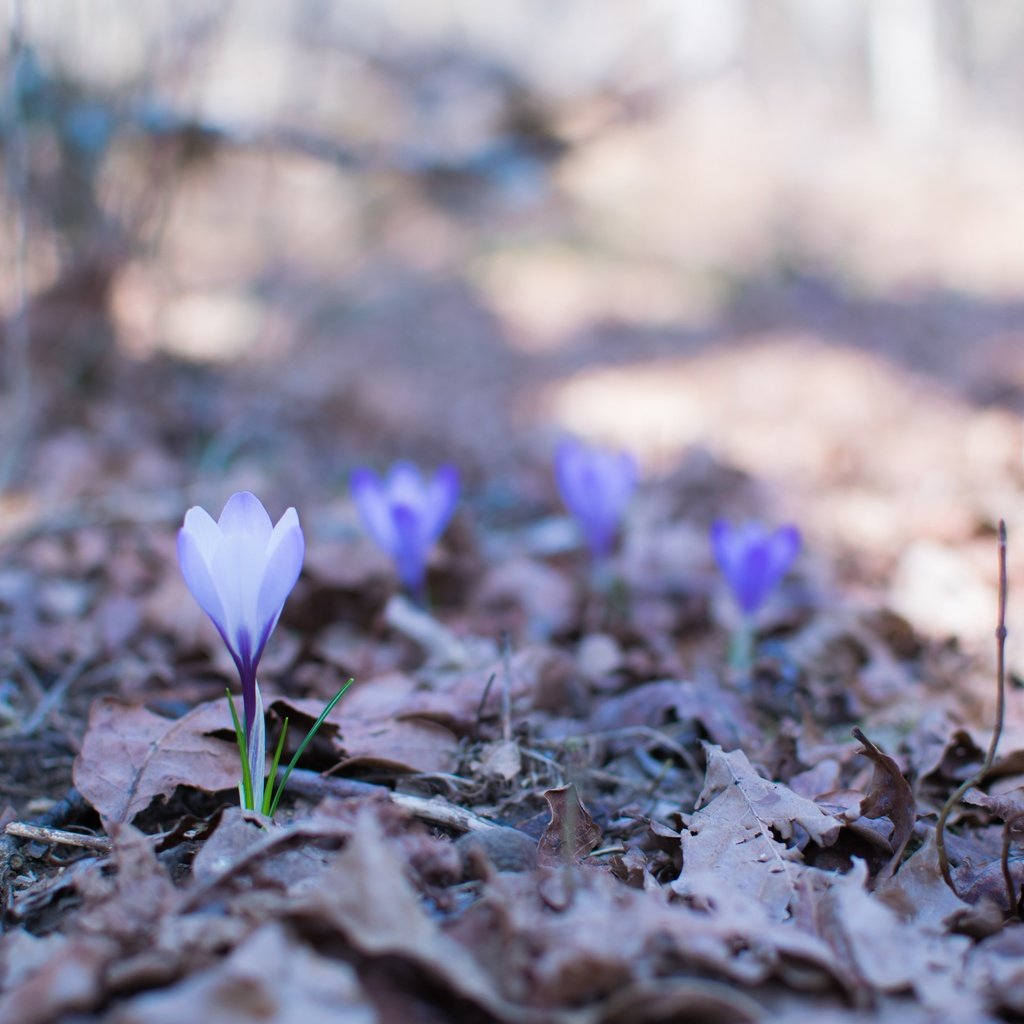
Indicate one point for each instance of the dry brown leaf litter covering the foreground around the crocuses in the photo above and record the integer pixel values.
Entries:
(540, 803)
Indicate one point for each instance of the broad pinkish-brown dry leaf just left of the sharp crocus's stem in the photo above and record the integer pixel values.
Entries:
(131, 756)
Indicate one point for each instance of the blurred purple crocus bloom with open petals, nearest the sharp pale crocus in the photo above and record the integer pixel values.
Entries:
(406, 515)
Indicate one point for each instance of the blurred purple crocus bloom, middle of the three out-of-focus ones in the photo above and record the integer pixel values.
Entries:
(596, 486)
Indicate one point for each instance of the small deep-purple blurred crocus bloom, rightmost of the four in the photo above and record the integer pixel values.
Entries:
(753, 560)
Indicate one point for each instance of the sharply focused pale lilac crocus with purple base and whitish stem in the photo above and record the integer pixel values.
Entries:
(241, 569)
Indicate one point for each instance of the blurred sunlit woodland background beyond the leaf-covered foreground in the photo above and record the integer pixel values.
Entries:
(266, 242)
